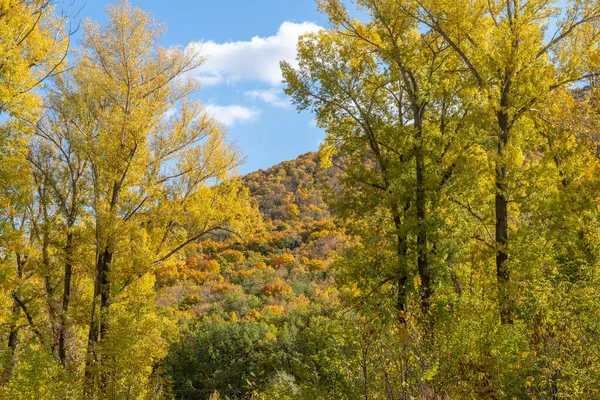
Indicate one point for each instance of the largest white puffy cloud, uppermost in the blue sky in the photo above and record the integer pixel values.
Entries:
(254, 60)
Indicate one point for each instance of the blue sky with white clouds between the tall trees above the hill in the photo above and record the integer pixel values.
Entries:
(244, 40)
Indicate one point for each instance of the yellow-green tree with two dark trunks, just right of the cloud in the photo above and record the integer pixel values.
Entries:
(391, 84)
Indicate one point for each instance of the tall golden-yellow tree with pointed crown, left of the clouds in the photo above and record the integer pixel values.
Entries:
(150, 177)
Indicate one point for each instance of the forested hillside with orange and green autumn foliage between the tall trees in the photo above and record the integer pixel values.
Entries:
(261, 309)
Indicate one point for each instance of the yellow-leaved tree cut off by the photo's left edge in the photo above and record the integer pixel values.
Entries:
(33, 44)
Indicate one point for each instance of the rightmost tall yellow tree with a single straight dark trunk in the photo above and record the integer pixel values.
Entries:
(503, 45)
